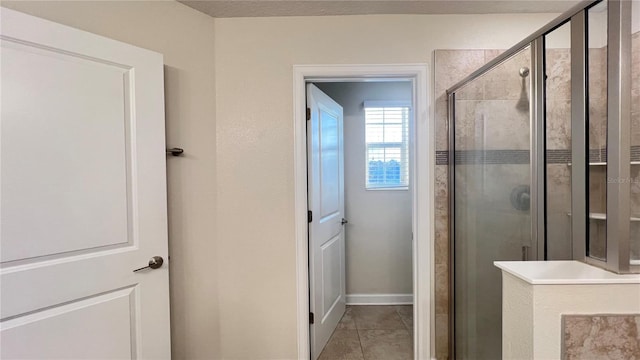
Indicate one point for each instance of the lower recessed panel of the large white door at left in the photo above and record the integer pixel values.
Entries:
(109, 333)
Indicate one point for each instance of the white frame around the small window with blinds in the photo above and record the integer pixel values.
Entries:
(404, 145)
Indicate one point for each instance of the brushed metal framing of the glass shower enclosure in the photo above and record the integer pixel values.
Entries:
(619, 99)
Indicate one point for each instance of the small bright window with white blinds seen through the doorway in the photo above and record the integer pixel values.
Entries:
(387, 144)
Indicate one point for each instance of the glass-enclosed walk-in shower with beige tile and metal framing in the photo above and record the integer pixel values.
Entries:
(544, 154)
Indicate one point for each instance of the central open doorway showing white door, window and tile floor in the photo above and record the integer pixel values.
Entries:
(370, 254)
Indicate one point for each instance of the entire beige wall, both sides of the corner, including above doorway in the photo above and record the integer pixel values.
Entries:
(231, 195)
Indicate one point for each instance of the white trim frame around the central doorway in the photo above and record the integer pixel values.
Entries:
(422, 146)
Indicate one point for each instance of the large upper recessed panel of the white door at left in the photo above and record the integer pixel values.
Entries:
(72, 190)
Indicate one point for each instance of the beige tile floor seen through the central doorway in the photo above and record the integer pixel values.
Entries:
(372, 333)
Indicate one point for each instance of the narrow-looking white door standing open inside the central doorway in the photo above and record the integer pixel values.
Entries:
(326, 203)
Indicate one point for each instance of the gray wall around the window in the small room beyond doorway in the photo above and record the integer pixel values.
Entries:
(378, 236)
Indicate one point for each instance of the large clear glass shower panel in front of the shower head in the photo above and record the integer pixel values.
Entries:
(492, 181)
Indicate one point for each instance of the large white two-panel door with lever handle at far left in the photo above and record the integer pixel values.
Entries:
(83, 195)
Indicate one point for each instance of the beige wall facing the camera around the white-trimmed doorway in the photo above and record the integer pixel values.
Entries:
(254, 128)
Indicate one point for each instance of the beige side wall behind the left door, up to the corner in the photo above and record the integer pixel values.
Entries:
(185, 37)
